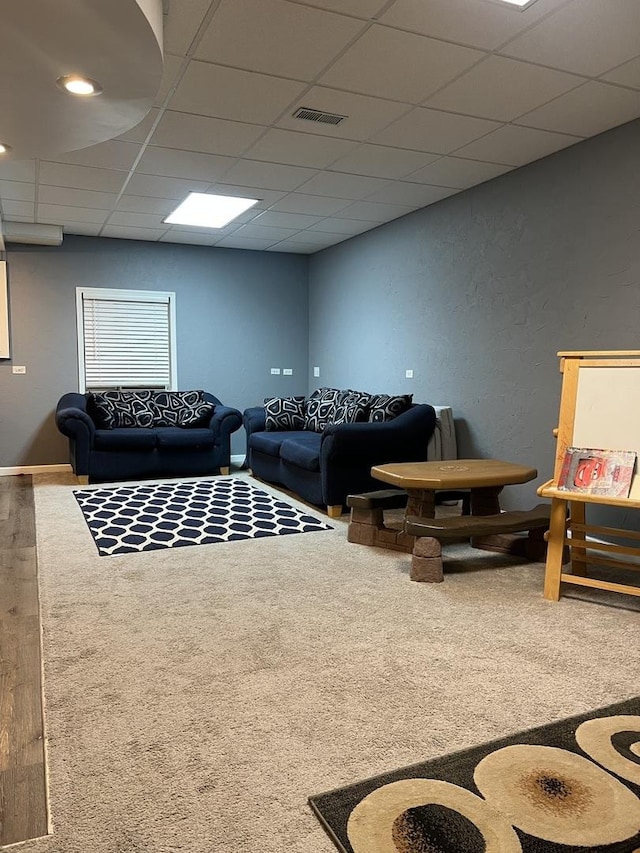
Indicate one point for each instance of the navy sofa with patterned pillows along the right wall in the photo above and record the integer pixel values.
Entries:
(324, 451)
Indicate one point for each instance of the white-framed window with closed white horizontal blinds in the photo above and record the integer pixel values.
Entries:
(126, 339)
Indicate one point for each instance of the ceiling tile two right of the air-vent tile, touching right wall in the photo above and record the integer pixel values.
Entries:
(515, 145)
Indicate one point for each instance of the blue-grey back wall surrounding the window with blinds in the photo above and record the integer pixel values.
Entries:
(238, 314)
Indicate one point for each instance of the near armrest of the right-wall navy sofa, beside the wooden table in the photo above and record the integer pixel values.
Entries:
(403, 439)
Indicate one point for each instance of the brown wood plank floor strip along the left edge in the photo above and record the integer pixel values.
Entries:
(23, 796)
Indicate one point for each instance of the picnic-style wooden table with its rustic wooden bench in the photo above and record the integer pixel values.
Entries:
(484, 478)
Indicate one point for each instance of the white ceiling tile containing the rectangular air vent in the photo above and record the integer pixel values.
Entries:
(365, 115)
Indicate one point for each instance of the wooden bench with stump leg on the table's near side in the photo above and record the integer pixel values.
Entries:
(489, 532)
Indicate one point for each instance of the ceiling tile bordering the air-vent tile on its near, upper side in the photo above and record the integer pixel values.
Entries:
(420, 67)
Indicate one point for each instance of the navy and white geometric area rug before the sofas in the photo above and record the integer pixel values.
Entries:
(126, 519)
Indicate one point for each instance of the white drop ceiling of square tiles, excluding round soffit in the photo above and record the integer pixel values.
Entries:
(439, 96)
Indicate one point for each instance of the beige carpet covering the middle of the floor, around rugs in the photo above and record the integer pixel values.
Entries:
(195, 697)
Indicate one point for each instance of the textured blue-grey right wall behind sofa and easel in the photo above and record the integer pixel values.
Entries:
(476, 294)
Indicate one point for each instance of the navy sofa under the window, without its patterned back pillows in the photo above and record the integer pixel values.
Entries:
(99, 454)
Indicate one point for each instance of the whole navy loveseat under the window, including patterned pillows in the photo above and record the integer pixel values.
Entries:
(137, 435)
